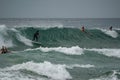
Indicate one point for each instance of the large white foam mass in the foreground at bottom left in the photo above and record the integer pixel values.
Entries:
(51, 71)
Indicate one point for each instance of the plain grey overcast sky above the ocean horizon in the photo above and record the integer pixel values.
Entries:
(59, 8)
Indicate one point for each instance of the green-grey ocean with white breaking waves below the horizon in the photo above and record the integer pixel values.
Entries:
(65, 53)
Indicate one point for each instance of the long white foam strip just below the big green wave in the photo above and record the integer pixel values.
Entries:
(75, 50)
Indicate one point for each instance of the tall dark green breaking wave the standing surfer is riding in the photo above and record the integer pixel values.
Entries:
(54, 37)
